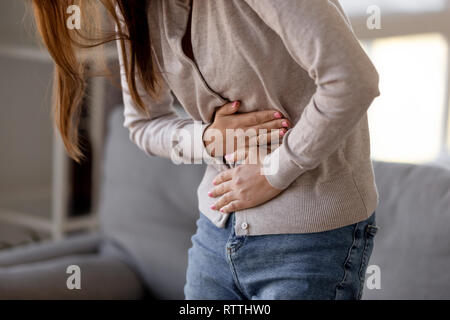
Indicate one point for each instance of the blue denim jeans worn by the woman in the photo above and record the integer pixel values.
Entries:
(324, 265)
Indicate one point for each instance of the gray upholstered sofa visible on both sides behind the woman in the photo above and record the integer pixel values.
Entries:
(148, 212)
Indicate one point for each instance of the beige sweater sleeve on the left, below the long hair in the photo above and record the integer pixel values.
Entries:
(160, 131)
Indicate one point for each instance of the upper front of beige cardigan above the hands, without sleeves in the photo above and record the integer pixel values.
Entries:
(236, 58)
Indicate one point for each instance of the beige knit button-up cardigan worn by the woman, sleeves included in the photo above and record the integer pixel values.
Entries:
(300, 57)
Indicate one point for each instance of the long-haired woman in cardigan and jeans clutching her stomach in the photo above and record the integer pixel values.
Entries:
(299, 224)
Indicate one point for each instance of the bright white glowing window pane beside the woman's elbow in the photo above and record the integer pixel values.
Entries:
(406, 121)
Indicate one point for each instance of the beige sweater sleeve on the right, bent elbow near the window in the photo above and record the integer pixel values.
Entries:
(319, 38)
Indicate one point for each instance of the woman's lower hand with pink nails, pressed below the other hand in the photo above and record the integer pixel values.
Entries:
(241, 188)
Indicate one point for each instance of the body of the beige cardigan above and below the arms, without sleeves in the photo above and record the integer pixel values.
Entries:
(238, 57)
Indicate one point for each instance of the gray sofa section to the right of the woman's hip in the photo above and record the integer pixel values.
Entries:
(412, 247)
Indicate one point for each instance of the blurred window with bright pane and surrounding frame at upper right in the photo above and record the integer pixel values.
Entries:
(409, 122)
